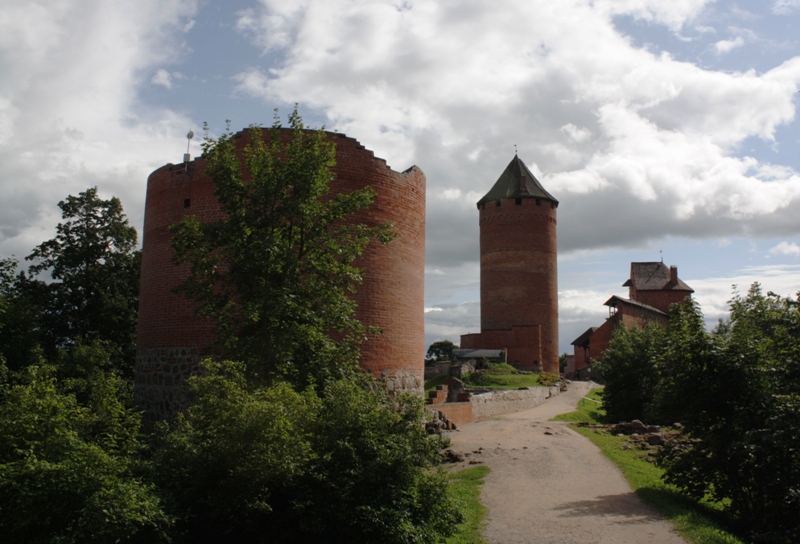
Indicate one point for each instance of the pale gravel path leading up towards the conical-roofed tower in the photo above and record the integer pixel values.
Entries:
(549, 484)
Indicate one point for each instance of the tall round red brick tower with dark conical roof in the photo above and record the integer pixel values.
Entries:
(519, 274)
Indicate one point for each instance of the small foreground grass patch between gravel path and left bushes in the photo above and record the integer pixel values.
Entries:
(466, 488)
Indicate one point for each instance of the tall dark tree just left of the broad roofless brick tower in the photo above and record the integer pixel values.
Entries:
(95, 271)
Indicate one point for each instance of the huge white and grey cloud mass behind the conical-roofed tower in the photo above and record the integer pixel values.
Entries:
(610, 126)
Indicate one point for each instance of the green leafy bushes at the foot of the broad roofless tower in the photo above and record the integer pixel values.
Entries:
(338, 466)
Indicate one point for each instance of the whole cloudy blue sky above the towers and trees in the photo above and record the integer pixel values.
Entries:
(667, 130)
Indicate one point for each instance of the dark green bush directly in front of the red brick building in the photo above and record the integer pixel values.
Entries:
(628, 370)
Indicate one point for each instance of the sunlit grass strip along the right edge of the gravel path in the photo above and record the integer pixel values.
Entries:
(700, 523)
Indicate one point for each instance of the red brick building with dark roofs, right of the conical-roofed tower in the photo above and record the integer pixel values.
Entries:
(652, 289)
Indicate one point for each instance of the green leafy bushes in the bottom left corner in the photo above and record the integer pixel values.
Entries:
(69, 469)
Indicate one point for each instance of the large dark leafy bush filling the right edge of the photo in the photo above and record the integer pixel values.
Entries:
(737, 392)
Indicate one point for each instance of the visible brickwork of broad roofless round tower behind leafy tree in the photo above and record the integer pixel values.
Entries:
(171, 339)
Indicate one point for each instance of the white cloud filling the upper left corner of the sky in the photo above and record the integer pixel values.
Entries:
(69, 114)
